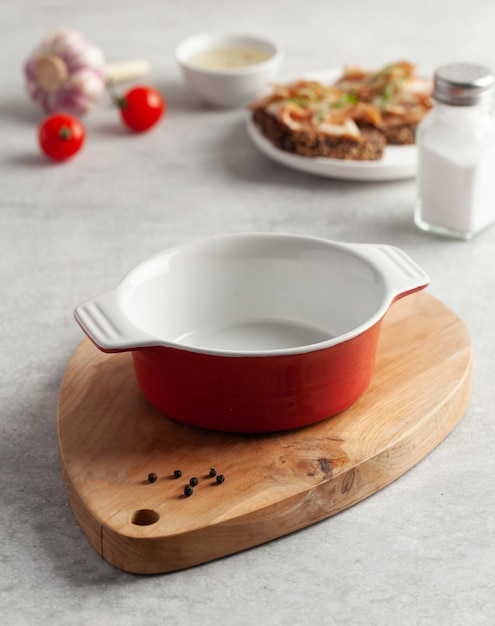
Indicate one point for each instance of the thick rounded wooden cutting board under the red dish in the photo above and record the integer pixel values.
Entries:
(110, 439)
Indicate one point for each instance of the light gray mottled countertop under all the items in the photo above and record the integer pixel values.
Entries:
(419, 552)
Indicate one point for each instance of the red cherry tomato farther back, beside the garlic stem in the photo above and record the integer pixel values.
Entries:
(141, 108)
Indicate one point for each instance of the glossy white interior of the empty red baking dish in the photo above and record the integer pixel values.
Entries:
(253, 294)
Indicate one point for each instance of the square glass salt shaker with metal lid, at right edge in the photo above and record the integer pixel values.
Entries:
(456, 145)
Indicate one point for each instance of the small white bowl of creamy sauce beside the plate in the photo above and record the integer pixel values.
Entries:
(232, 85)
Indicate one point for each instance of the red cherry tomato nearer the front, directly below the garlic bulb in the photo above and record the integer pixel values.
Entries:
(61, 136)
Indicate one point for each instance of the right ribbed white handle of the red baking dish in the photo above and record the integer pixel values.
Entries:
(402, 275)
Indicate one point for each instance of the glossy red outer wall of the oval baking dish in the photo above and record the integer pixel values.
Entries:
(256, 393)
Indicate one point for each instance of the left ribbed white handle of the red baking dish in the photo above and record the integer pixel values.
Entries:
(104, 321)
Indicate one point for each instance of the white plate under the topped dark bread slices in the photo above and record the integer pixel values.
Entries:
(397, 161)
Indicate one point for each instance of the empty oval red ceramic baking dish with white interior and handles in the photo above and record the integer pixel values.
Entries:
(253, 332)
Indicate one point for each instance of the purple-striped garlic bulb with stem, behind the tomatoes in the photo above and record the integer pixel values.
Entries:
(68, 73)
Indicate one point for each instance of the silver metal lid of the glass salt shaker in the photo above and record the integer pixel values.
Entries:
(463, 84)
